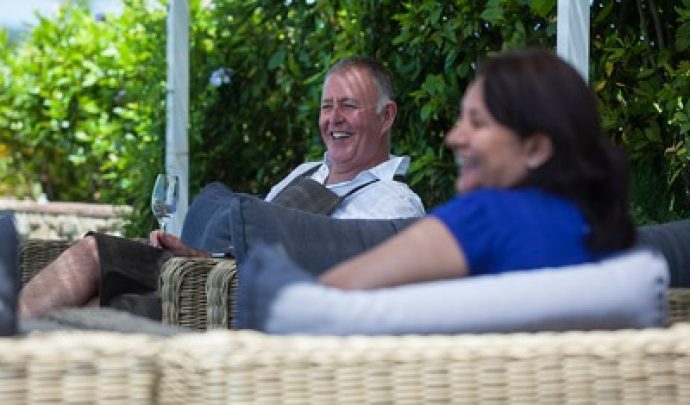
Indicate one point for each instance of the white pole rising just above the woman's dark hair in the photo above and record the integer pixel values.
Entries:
(572, 34)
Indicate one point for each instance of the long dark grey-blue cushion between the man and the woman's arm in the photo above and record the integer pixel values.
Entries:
(315, 242)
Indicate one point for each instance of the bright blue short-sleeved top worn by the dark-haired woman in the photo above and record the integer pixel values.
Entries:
(506, 230)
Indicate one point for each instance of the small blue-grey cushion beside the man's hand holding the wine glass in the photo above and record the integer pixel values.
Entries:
(207, 224)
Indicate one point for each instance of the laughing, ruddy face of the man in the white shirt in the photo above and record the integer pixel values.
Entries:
(353, 131)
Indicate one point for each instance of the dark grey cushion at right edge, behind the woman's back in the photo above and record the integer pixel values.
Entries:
(672, 239)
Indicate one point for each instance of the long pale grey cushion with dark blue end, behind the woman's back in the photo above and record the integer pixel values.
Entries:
(626, 291)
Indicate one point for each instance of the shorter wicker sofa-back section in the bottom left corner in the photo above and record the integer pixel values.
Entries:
(79, 367)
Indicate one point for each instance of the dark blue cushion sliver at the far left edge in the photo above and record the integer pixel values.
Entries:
(9, 272)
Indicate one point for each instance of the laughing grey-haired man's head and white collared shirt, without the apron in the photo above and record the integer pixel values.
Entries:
(357, 113)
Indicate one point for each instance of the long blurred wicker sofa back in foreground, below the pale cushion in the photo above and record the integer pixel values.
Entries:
(650, 366)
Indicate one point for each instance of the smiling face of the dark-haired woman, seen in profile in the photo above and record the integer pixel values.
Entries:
(487, 153)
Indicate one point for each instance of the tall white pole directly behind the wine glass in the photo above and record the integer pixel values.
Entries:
(177, 106)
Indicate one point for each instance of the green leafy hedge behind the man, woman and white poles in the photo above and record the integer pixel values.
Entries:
(82, 109)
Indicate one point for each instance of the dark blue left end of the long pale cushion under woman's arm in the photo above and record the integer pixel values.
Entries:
(266, 270)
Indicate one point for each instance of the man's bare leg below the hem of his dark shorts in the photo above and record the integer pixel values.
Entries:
(71, 280)
